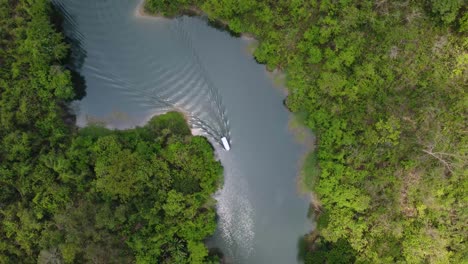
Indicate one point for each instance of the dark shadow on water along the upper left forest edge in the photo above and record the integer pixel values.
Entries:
(64, 22)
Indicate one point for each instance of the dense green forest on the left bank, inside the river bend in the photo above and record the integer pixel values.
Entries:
(90, 195)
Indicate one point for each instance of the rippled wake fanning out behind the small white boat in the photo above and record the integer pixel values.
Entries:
(180, 84)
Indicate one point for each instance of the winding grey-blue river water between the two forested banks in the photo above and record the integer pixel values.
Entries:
(135, 67)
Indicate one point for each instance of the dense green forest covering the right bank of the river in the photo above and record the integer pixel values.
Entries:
(383, 86)
